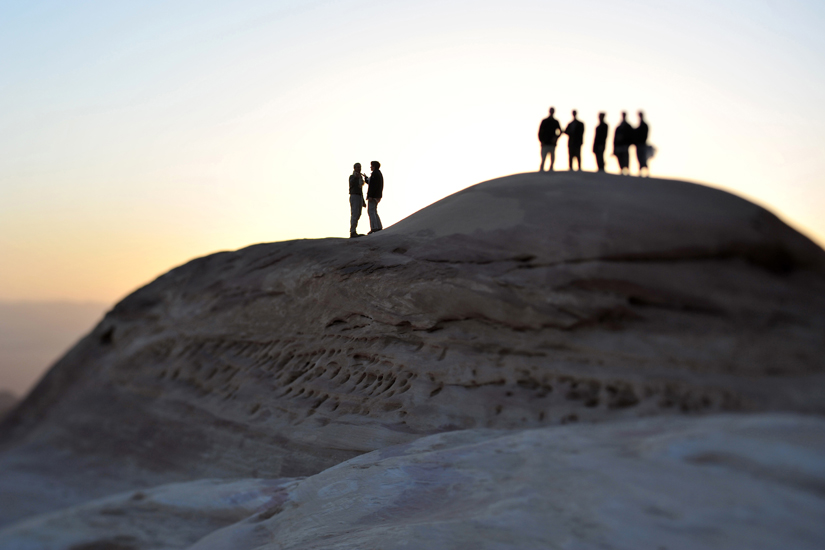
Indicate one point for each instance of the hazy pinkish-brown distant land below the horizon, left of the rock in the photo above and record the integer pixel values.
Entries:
(33, 335)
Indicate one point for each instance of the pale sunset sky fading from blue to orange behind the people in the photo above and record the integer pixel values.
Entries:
(138, 135)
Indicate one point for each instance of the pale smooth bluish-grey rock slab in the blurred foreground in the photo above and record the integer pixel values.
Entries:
(731, 482)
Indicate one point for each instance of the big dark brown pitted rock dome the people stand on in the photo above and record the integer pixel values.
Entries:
(526, 301)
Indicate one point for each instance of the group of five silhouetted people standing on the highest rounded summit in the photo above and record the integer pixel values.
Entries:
(624, 137)
